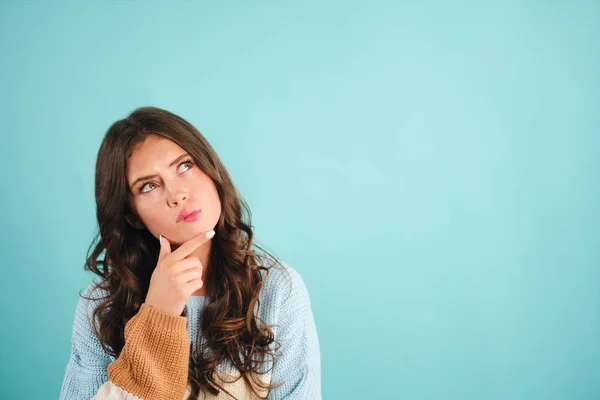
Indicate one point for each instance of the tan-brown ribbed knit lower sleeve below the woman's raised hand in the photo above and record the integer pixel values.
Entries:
(154, 361)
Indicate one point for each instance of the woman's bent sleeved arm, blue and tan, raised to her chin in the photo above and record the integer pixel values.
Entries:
(152, 365)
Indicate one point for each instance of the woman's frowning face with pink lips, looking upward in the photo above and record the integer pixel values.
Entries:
(171, 182)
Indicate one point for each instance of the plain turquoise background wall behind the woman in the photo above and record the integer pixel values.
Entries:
(430, 168)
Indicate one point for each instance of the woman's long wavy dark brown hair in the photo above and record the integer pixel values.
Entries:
(231, 329)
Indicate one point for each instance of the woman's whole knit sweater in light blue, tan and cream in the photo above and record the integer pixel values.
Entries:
(153, 364)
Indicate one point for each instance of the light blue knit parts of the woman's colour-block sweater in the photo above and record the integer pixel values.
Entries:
(283, 302)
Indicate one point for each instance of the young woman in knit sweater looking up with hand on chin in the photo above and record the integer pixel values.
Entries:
(183, 307)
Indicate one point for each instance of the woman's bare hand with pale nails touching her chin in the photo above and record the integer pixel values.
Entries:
(177, 275)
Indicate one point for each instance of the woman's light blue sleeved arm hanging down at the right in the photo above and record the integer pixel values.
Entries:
(298, 360)
